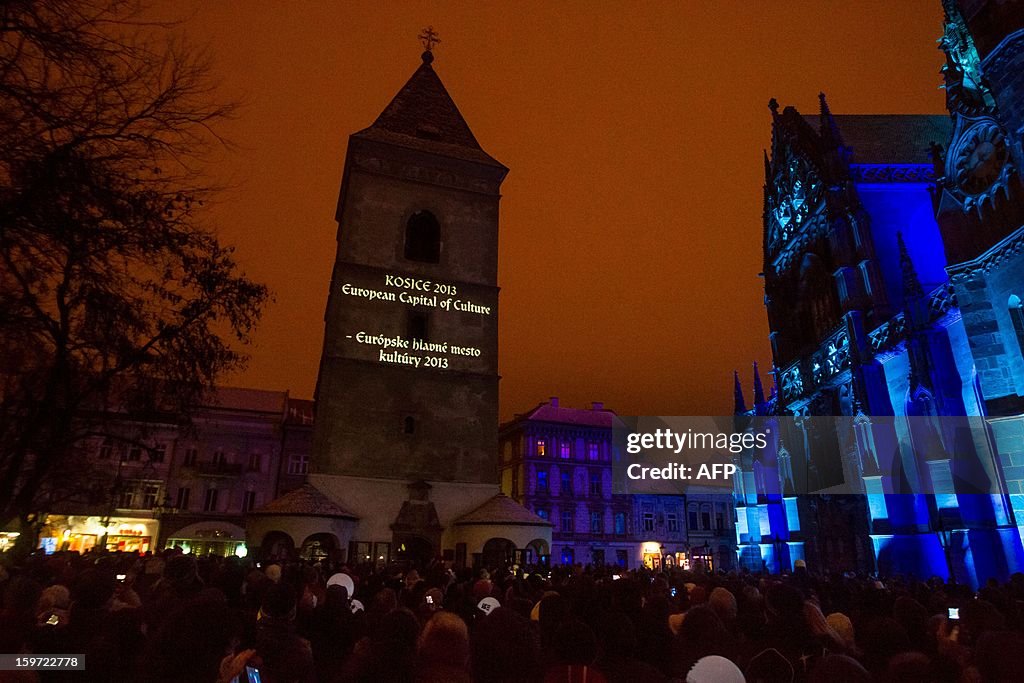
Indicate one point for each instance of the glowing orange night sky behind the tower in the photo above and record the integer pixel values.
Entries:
(631, 219)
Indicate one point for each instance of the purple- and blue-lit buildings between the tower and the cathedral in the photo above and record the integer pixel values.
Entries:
(558, 462)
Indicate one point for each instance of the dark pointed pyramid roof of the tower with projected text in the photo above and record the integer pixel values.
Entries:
(424, 117)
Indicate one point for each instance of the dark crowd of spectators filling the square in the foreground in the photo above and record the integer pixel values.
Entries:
(178, 618)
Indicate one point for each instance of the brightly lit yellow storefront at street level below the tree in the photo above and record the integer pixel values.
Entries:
(81, 534)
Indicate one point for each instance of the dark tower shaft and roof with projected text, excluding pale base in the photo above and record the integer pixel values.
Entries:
(408, 387)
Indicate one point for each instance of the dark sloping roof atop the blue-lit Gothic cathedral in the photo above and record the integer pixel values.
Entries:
(890, 139)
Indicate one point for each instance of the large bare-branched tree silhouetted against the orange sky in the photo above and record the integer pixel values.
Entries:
(113, 294)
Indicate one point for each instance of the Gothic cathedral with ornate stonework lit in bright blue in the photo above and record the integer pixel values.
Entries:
(894, 281)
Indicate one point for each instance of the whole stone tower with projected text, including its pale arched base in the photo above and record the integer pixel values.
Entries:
(405, 441)
